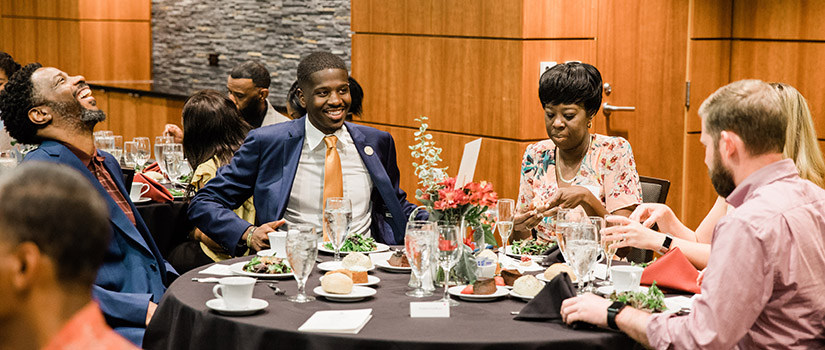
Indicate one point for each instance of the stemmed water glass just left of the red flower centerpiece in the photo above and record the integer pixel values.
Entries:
(418, 247)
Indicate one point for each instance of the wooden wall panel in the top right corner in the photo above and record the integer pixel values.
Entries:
(779, 19)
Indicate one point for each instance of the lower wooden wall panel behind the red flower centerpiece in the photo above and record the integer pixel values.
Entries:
(499, 162)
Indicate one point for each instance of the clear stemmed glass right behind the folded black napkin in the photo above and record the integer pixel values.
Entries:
(582, 247)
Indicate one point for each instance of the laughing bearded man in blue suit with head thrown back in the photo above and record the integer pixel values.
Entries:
(48, 107)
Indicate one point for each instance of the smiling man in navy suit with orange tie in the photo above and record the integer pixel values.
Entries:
(283, 167)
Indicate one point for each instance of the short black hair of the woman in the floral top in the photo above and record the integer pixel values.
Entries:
(572, 83)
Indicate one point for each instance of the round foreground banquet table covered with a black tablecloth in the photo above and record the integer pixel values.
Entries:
(182, 321)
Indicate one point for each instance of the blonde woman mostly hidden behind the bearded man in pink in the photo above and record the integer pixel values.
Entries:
(800, 145)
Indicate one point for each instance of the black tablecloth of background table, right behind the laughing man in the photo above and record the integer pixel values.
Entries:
(167, 223)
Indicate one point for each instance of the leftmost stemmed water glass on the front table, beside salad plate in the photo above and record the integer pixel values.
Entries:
(301, 250)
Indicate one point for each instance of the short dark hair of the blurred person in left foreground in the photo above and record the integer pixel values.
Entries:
(56, 208)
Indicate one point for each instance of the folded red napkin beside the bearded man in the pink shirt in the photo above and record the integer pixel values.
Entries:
(672, 271)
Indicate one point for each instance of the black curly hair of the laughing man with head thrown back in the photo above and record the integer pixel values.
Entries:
(16, 101)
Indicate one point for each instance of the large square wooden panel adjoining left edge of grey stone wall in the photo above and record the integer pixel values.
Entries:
(116, 50)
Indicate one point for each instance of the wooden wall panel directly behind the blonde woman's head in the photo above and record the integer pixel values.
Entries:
(794, 63)
